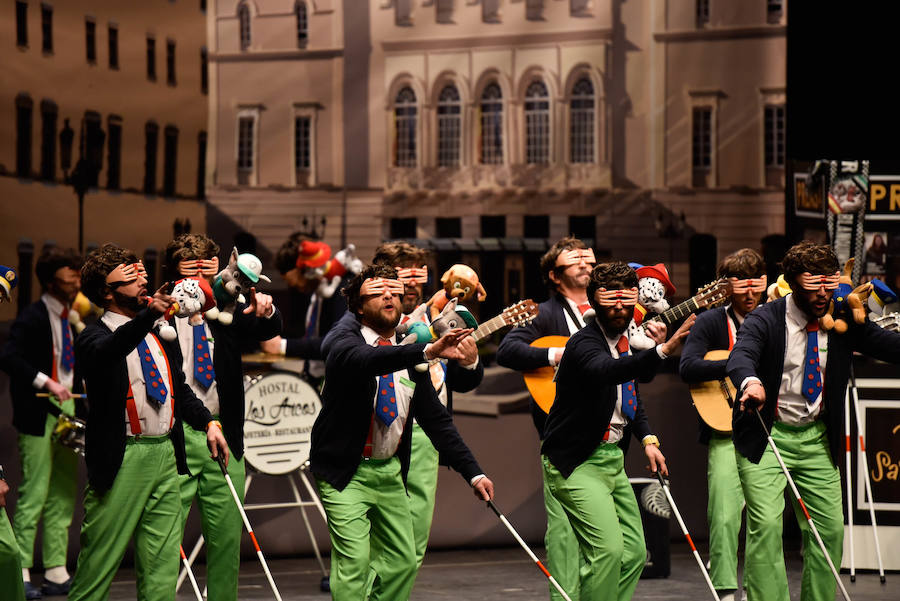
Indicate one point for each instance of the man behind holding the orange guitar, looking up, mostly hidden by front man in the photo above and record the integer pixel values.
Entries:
(566, 269)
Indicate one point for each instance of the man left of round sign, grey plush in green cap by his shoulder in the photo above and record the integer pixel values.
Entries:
(204, 343)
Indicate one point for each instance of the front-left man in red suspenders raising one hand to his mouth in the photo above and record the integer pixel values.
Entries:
(134, 447)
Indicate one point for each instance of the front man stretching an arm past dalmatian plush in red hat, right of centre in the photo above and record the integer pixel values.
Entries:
(597, 409)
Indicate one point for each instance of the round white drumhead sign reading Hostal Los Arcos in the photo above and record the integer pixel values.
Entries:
(280, 409)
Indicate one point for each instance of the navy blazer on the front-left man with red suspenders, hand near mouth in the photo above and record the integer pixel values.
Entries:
(101, 353)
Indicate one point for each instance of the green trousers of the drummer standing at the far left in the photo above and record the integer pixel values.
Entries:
(48, 489)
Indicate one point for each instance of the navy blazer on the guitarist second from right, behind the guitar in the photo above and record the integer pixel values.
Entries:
(709, 332)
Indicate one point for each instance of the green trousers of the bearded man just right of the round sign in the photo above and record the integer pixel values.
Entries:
(370, 519)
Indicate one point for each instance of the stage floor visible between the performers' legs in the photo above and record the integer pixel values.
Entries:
(495, 574)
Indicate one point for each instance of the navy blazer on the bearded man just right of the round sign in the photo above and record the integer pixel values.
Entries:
(340, 431)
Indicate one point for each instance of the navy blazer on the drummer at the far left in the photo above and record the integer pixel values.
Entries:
(29, 350)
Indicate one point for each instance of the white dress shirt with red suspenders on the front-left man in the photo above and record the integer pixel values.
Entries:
(155, 419)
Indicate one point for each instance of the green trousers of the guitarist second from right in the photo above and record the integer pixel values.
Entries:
(723, 512)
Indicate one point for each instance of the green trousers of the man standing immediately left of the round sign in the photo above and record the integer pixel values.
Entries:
(220, 520)
